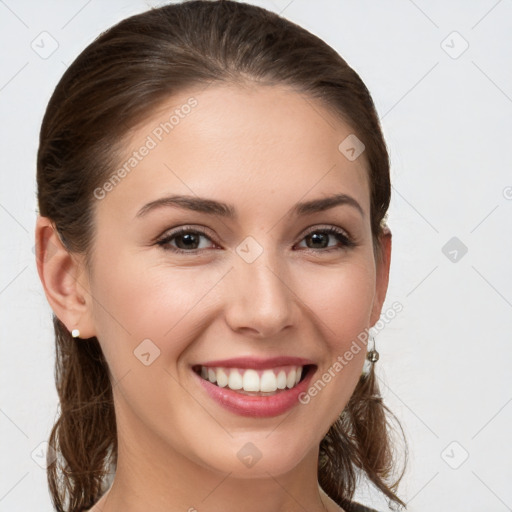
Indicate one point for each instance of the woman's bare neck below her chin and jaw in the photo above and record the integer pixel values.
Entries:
(151, 475)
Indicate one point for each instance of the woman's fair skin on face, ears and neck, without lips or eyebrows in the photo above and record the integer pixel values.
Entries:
(262, 149)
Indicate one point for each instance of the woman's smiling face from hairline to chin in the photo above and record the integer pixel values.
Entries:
(263, 281)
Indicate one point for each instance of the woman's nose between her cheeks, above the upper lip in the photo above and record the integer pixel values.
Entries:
(261, 298)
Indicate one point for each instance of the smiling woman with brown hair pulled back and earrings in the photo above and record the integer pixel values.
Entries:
(212, 186)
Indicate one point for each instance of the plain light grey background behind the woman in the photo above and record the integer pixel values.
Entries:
(447, 117)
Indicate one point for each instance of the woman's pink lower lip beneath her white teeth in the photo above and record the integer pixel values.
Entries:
(257, 406)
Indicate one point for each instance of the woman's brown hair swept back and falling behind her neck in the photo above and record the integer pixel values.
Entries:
(115, 83)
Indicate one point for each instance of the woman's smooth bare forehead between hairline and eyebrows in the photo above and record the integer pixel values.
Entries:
(230, 141)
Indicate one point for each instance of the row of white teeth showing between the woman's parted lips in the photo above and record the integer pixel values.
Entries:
(252, 382)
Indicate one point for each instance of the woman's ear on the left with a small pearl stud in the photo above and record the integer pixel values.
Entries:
(64, 279)
